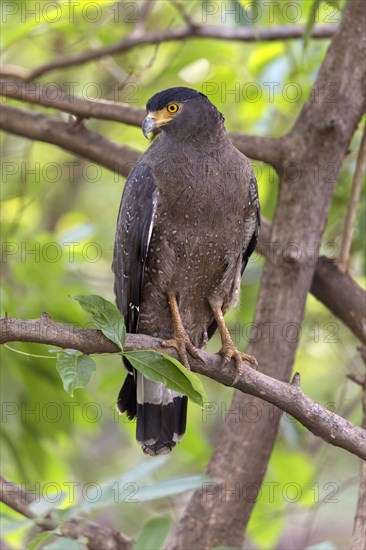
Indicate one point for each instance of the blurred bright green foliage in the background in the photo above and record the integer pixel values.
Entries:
(58, 228)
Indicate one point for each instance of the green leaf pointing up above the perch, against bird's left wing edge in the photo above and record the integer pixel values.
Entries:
(106, 316)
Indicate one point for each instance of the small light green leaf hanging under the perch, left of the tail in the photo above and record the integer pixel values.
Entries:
(75, 371)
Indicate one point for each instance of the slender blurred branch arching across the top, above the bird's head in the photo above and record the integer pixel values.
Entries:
(139, 38)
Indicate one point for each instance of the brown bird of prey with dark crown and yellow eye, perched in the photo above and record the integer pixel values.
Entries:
(187, 224)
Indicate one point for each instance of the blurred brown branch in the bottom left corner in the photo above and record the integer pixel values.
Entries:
(98, 536)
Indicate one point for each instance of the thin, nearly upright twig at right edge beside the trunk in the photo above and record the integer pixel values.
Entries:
(346, 241)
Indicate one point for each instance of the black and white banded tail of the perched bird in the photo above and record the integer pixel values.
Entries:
(161, 413)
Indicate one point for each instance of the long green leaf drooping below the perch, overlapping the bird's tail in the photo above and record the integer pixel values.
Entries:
(160, 367)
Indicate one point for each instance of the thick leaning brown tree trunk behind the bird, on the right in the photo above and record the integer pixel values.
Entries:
(319, 139)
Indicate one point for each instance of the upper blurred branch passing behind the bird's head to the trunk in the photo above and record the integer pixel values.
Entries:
(270, 150)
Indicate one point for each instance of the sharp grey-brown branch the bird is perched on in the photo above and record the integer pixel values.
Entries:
(288, 397)
